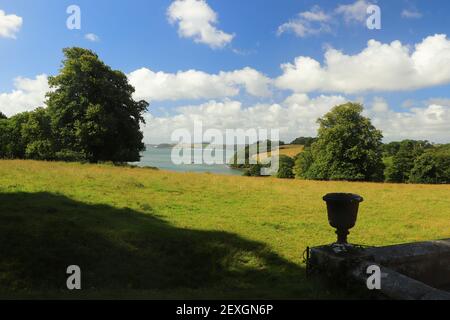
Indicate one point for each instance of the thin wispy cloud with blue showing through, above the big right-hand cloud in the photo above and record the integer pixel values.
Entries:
(307, 23)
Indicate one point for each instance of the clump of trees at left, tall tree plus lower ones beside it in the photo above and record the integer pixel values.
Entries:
(90, 116)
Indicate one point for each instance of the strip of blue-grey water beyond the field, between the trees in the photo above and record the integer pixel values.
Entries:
(161, 158)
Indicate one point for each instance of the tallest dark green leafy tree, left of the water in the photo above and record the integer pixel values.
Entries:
(93, 113)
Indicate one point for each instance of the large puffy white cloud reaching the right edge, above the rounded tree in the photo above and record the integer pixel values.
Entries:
(379, 67)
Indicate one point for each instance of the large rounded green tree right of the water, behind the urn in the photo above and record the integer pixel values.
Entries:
(348, 147)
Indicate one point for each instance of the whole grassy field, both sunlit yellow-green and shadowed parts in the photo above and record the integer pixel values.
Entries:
(140, 233)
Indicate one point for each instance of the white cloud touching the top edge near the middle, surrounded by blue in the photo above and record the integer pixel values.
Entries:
(197, 20)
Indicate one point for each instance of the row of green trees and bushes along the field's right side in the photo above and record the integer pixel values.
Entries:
(349, 147)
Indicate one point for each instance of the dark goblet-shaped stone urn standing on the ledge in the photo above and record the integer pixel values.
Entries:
(342, 213)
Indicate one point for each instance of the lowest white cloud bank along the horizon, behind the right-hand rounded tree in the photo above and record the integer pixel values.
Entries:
(297, 116)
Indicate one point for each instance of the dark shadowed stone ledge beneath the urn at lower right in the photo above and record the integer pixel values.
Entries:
(413, 271)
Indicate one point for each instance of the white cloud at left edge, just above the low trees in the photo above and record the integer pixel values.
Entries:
(27, 95)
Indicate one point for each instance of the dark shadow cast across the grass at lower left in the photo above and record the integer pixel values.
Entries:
(125, 253)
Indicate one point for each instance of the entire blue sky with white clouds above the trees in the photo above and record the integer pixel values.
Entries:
(244, 64)
